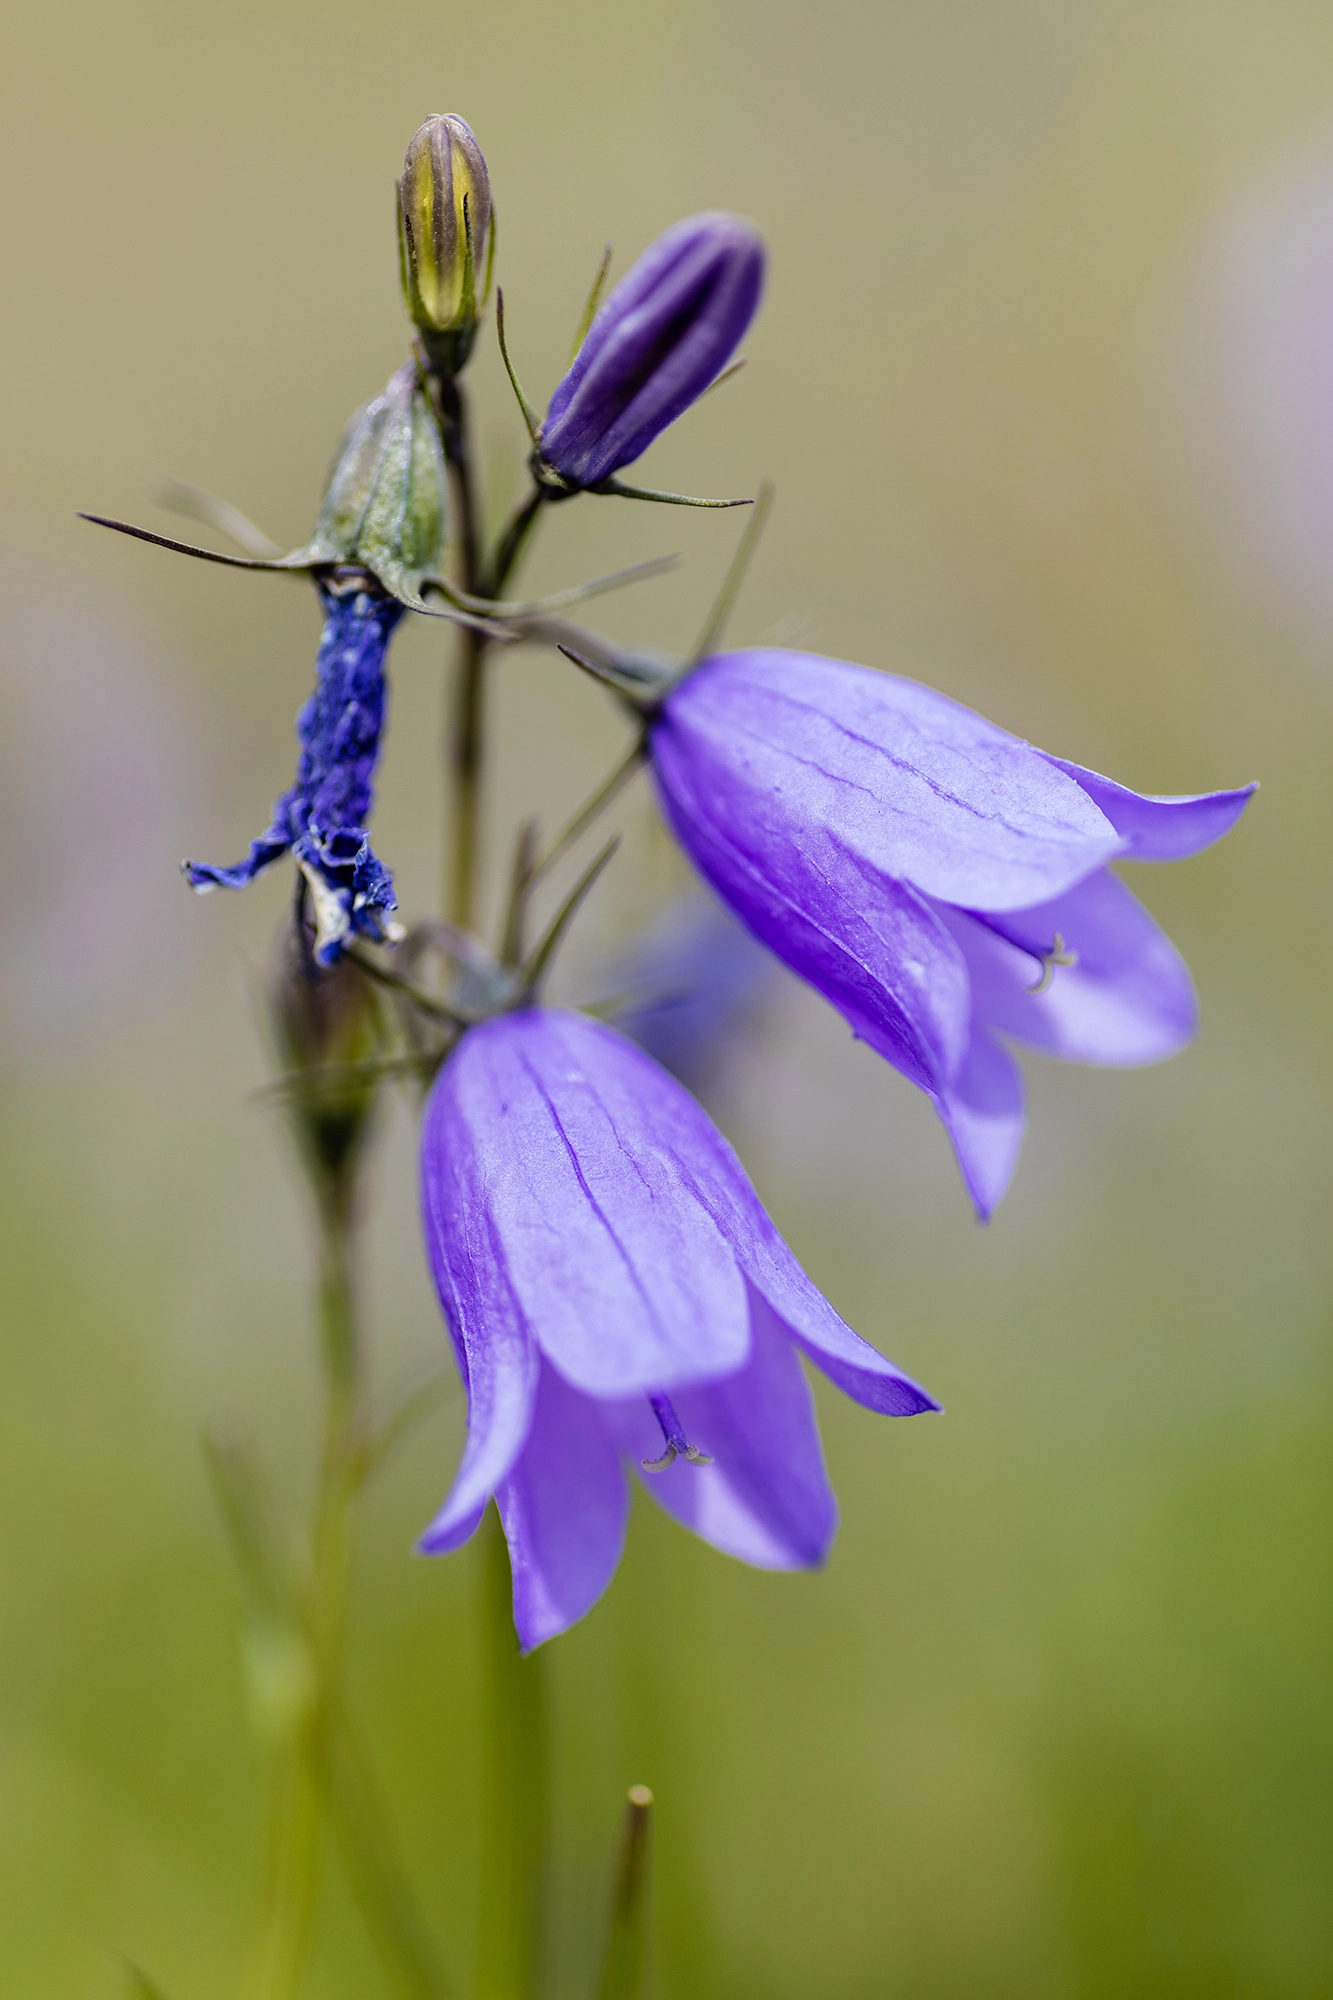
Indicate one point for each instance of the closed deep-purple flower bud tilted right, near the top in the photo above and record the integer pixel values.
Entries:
(655, 347)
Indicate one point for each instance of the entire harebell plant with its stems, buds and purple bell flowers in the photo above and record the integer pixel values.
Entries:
(619, 1301)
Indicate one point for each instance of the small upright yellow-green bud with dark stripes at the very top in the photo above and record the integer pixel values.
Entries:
(445, 237)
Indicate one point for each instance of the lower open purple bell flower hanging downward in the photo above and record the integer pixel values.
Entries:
(619, 1297)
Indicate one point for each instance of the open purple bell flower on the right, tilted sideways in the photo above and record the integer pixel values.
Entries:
(940, 881)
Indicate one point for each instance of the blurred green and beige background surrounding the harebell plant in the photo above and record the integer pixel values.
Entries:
(1058, 1717)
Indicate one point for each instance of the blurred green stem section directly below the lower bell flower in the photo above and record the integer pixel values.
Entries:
(513, 1787)
